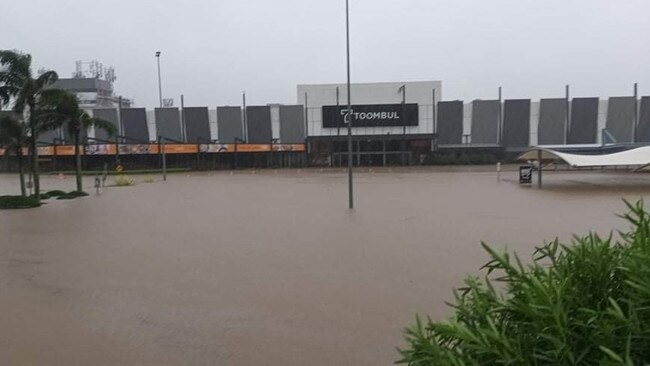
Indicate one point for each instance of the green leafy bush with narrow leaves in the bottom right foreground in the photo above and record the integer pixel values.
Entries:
(587, 303)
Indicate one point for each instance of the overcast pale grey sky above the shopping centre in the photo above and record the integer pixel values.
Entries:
(212, 50)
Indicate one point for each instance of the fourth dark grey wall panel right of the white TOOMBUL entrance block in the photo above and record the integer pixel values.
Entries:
(551, 129)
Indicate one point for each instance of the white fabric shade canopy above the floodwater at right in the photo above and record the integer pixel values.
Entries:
(639, 156)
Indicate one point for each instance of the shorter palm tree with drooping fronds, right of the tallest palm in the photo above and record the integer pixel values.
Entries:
(61, 109)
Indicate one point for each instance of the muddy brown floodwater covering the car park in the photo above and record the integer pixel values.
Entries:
(268, 268)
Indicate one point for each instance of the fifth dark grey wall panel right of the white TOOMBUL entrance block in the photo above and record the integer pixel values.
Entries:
(584, 121)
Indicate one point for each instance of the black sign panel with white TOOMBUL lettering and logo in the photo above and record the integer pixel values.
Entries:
(372, 115)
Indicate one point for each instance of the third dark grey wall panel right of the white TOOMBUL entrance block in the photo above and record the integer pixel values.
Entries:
(516, 123)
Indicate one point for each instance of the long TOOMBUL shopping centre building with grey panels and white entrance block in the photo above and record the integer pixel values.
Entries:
(392, 123)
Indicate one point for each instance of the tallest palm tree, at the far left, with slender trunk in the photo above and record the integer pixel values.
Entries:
(18, 85)
